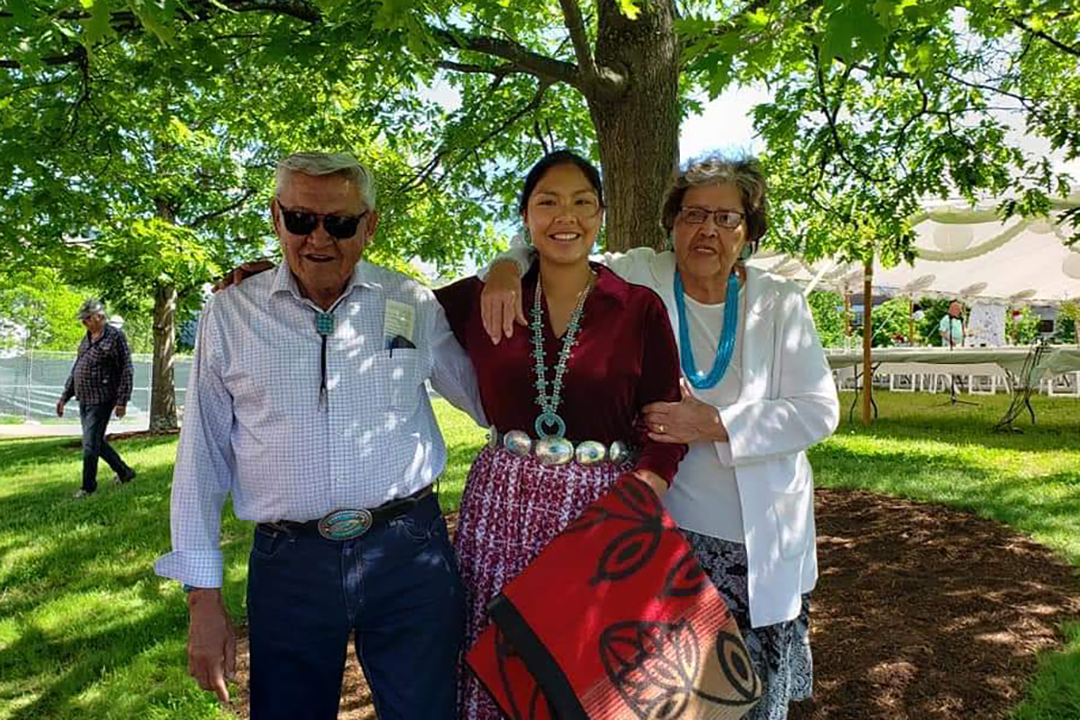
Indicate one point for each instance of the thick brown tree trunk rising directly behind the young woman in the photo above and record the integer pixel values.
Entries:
(639, 130)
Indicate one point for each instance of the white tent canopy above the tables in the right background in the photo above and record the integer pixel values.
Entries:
(964, 253)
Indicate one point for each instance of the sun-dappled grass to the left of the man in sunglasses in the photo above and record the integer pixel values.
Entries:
(83, 607)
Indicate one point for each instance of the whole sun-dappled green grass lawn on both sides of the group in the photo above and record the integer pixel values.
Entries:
(88, 631)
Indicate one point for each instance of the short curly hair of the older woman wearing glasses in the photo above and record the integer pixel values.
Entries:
(744, 172)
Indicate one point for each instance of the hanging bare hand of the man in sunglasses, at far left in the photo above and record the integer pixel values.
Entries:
(212, 644)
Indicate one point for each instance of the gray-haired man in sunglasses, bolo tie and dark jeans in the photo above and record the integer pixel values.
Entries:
(307, 404)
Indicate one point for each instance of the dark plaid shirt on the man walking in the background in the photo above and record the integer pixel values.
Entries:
(103, 371)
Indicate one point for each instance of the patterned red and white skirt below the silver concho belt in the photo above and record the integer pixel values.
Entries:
(512, 508)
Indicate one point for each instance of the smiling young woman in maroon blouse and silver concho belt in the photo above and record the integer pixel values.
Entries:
(564, 399)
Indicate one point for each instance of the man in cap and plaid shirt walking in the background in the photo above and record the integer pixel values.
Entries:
(102, 381)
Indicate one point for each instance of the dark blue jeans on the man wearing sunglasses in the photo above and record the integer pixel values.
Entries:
(396, 592)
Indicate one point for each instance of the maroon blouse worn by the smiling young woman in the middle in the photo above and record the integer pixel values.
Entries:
(625, 359)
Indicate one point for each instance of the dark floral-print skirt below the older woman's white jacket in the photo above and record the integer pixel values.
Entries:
(781, 653)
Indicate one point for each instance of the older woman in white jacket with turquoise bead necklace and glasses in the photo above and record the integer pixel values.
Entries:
(757, 393)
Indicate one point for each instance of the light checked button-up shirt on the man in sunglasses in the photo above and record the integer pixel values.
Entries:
(253, 427)
